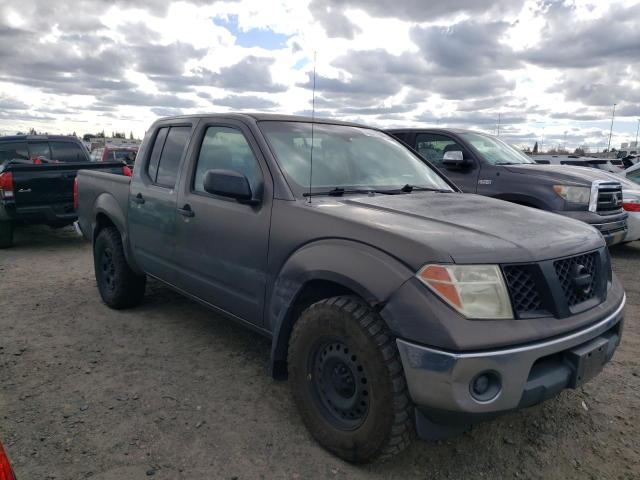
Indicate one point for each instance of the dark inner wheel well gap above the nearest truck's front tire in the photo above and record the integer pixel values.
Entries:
(312, 292)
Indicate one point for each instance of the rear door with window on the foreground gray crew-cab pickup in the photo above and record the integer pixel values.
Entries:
(152, 201)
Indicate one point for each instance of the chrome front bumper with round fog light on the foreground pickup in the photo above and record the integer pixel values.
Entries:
(441, 381)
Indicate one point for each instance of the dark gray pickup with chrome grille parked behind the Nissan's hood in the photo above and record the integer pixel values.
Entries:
(483, 164)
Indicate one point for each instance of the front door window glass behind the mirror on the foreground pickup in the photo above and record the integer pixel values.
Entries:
(225, 148)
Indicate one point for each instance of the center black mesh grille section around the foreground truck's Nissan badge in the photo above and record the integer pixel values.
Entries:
(568, 268)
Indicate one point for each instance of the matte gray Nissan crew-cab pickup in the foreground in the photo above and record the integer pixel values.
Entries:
(395, 303)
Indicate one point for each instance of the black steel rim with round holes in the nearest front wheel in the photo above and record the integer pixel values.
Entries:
(340, 385)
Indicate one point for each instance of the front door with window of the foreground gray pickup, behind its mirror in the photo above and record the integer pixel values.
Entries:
(222, 244)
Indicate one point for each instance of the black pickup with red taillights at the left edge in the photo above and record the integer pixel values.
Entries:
(36, 180)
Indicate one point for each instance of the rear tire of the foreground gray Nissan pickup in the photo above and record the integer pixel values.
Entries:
(119, 286)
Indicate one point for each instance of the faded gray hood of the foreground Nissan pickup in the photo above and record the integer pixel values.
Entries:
(463, 228)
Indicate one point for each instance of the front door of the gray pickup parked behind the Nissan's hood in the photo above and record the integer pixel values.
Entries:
(433, 147)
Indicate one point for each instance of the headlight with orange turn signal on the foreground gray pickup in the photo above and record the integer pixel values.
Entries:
(476, 291)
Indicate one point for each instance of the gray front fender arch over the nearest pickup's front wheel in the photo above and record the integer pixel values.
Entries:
(365, 270)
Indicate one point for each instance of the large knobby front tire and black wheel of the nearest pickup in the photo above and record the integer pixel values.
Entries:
(347, 381)
